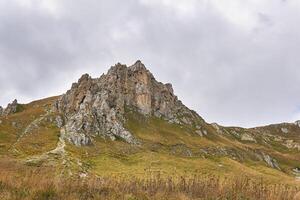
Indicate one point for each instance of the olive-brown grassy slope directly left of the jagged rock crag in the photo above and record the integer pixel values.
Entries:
(38, 140)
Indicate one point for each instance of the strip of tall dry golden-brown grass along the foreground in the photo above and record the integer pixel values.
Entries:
(22, 182)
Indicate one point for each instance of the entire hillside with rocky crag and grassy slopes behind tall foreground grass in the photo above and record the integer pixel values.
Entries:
(126, 124)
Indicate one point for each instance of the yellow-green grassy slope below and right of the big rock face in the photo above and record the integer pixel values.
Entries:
(169, 150)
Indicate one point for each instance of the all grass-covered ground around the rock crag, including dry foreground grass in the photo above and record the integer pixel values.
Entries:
(168, 154)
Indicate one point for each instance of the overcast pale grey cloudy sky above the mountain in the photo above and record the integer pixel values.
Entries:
(235, 62)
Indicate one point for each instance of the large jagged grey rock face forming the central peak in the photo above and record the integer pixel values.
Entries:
(97, 106)
